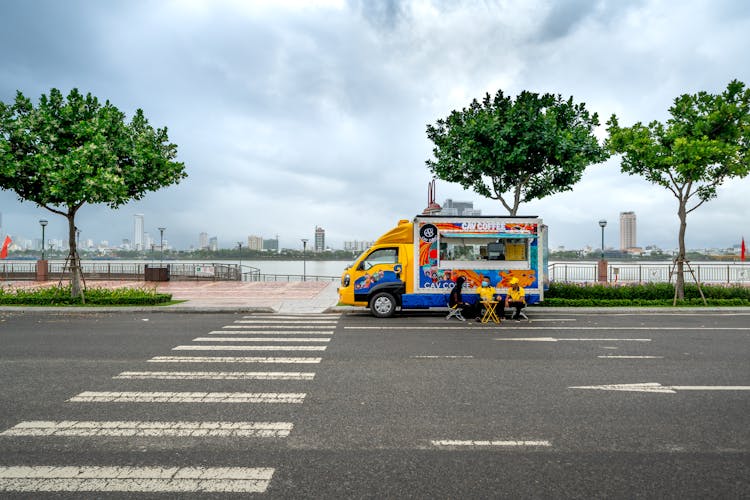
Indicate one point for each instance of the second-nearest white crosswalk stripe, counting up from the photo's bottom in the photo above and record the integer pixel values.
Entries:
(73, 428)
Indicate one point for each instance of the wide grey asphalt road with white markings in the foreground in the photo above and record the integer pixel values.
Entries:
(410, 407)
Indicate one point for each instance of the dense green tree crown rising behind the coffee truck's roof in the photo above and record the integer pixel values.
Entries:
(515, 151)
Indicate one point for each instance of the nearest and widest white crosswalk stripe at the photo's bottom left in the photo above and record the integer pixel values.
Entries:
(136, 479)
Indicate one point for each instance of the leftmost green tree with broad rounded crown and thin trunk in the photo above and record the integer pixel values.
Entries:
(67, 152)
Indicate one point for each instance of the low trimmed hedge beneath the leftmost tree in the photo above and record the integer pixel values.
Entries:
(60, 296)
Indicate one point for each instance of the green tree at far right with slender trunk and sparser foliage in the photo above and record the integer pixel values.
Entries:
(702, 144)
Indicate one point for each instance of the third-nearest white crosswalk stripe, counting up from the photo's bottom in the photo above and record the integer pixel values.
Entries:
(187, 397)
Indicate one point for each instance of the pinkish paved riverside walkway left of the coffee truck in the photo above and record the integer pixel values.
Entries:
(287, 297)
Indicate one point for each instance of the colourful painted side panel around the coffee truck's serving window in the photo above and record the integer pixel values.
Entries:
(432, 275)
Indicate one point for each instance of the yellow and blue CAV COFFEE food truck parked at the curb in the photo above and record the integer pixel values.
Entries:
(415, 265)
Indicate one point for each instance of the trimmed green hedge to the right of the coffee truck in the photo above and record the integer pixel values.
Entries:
(649, 294)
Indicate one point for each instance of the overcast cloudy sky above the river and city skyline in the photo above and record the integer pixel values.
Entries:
(294, 113)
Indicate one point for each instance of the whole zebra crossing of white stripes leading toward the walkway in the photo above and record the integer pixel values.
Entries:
(261, 333)
